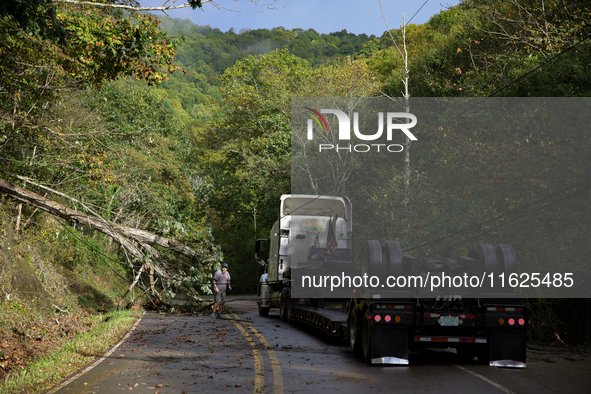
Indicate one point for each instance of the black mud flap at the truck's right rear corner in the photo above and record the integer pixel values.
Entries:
(507, 348)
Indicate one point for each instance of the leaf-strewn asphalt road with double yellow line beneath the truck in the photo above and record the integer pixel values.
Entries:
(184, 354)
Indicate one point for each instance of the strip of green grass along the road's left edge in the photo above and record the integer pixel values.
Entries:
(72, 354)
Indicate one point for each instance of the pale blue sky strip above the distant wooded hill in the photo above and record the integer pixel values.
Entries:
(324, 16)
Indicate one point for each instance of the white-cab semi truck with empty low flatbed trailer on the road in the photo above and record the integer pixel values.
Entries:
(313, 238)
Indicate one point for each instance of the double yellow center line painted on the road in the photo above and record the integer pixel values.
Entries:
(259, 372)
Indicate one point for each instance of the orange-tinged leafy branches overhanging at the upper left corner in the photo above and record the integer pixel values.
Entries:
(100, 47)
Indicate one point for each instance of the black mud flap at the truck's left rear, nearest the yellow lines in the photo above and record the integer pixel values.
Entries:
(389, 345)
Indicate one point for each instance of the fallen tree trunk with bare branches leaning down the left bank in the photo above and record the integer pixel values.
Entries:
(139, 243)
